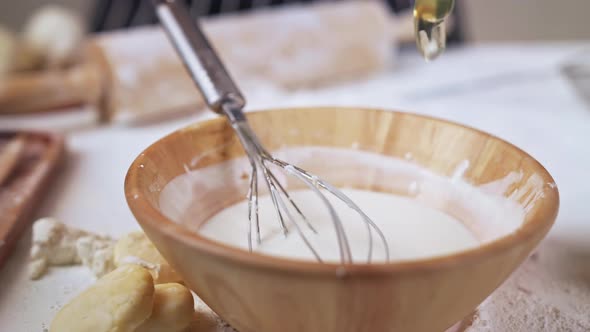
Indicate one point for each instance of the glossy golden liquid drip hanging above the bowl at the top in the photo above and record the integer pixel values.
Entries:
(429, 23)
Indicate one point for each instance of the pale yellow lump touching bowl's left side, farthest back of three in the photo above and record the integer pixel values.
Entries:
(136, 248)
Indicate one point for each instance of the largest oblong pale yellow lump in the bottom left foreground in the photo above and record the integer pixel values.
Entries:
(119, 302)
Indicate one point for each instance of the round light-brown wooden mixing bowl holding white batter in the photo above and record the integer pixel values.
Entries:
(257, 293)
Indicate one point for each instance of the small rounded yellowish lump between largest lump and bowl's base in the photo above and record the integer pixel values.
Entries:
(173, 309)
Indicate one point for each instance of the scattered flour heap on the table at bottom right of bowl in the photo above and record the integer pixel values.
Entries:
(549, 292)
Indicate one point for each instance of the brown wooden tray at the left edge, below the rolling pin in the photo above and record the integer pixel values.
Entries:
(27, 162)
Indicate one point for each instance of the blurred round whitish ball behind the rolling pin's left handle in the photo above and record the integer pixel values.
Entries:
(54, 34)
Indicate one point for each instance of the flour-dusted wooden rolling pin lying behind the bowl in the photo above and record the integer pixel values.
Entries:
(135, 74)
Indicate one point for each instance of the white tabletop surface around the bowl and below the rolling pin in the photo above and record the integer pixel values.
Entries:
(513, 91)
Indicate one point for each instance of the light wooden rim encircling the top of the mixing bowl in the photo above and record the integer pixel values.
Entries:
(143, 210)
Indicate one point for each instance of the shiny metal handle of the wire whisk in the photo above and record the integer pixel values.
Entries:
(202, 62)
